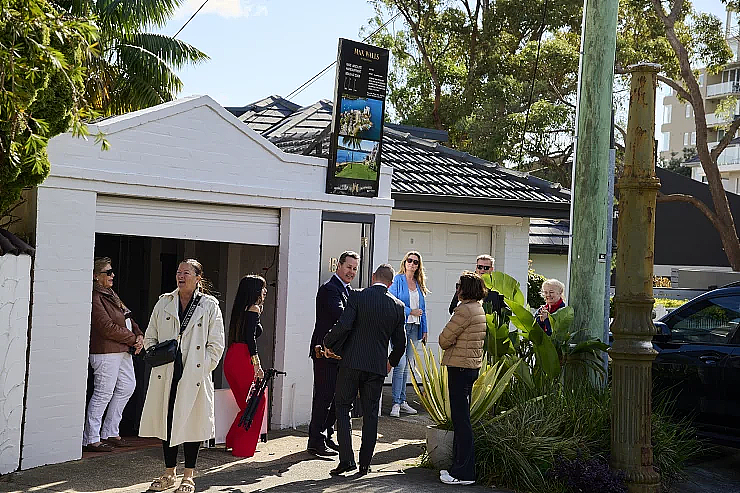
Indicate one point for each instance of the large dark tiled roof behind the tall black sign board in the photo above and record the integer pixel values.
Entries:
(426, 174)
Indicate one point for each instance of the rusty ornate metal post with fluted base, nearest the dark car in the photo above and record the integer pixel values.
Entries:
(632, 350)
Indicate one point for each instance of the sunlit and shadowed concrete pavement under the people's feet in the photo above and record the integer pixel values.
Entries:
(280, 465)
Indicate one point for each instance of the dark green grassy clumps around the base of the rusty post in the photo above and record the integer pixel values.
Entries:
(517, 447)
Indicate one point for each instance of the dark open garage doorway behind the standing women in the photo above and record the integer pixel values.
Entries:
(145, 268)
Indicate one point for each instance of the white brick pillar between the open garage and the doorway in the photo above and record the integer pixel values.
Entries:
(298, 279)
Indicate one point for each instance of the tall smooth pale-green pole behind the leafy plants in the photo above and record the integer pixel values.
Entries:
(588, 255)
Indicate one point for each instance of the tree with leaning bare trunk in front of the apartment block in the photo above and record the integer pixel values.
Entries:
(670, 33)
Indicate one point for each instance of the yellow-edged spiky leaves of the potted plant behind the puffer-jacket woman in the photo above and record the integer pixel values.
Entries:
(487, 389)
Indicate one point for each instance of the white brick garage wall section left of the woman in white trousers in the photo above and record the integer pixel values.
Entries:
(60, 331)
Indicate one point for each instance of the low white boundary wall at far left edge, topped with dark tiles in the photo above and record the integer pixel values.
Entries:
(15, 292)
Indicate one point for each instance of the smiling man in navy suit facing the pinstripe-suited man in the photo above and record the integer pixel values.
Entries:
(330, 302)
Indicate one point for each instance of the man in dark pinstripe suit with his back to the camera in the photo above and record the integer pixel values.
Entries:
(371, 319)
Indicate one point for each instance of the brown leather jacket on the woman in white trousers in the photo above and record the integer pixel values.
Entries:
(108, 332)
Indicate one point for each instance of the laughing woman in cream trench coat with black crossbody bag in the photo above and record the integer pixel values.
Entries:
(180, 411)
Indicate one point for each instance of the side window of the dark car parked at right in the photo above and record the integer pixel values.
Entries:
(709, 321)
